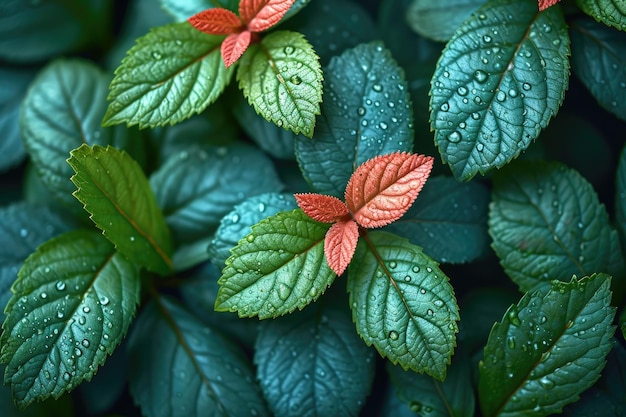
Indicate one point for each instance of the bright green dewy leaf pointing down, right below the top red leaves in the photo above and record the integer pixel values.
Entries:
(282, 78)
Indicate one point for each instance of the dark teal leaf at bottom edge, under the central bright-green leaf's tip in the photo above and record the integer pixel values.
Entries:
(427, 396)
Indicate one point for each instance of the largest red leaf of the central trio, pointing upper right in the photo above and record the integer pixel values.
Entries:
(383, 188)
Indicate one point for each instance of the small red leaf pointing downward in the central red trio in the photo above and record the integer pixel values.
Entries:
(340, 244)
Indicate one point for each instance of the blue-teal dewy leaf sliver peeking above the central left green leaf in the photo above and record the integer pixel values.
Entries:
(236, 224)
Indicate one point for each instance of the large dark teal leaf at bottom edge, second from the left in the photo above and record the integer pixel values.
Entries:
(181, 367)
